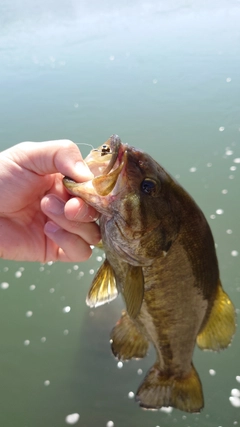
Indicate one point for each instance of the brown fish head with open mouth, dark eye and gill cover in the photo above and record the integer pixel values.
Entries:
(131, 191)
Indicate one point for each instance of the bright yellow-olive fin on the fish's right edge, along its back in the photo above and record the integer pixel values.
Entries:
(221, 325)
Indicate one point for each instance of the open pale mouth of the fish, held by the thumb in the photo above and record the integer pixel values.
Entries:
(106, 163)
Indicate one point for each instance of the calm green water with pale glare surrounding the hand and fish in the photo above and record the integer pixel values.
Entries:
(165, 76)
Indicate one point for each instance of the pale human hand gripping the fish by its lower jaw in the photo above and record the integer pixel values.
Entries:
(39, 220)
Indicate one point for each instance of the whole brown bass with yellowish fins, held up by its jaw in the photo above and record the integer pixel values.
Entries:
(160, 255)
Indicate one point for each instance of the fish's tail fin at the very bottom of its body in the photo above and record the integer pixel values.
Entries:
(159, 389)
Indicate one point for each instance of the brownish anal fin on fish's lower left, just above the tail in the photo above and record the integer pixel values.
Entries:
(127, 340)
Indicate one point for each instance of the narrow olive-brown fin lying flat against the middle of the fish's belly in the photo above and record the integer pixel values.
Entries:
(133, 290)
